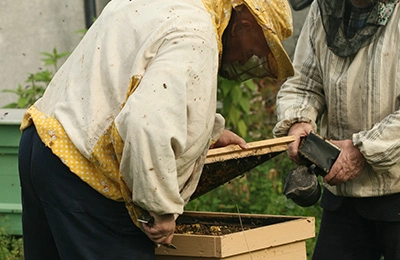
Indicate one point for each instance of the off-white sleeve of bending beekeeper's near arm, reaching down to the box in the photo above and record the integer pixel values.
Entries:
(167, 122)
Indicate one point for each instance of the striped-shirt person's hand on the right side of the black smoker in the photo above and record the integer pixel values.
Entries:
(348, 165)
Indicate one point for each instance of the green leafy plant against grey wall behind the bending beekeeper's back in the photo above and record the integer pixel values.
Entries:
(36, 82)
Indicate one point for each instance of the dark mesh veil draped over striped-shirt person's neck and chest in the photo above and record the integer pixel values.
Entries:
(334, 14)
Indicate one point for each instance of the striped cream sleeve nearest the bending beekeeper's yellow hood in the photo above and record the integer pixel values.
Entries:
(301, 97)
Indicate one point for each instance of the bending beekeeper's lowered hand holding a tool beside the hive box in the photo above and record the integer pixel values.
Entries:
(162, 230)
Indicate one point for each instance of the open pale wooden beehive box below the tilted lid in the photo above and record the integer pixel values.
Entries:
(257, 236)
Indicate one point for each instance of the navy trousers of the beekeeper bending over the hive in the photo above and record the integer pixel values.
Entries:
(64, 218)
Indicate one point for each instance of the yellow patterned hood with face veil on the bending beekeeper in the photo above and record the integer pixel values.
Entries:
(275, 19)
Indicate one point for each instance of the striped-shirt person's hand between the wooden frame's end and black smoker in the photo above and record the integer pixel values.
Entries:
(298, 130)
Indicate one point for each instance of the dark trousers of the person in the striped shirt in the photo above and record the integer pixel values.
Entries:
(359, 229)
